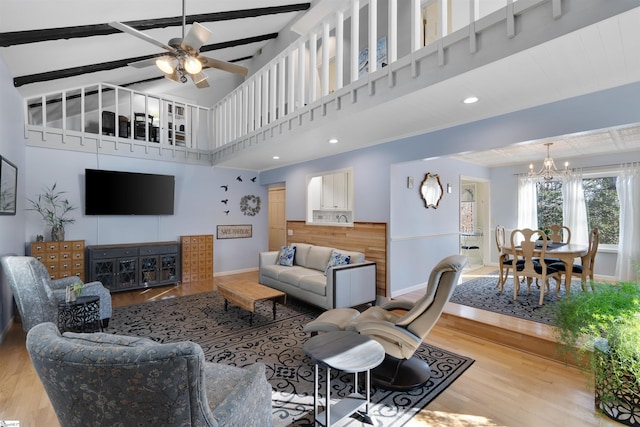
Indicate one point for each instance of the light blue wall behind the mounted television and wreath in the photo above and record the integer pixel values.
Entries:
(198, 204)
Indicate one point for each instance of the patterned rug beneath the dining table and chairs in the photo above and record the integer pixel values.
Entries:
(482, 293)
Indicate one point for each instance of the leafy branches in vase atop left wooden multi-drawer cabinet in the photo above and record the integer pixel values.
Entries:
(54, 210)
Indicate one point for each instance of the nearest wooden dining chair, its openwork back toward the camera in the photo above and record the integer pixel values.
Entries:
(526, 246)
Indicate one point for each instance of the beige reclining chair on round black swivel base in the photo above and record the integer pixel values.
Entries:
(402, 334)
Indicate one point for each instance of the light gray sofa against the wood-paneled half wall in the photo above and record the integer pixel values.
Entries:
(343, 286)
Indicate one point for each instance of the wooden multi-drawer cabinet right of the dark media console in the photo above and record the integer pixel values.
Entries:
(197, 257)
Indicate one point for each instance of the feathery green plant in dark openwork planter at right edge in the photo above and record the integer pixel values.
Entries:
(601, 328)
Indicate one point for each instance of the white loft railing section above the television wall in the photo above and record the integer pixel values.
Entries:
(108, 119)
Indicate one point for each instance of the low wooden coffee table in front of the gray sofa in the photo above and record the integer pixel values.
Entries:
(245, 294)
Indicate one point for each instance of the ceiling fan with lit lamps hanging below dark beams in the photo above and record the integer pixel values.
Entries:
(184, 58)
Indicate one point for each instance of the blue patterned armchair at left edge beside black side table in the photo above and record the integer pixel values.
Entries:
(37, 296)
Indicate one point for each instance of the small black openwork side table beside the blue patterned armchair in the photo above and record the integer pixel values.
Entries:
(81, 315)
